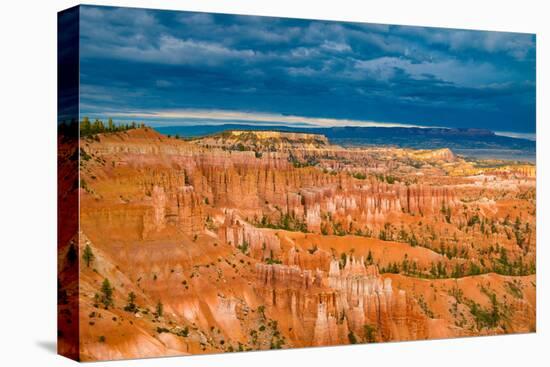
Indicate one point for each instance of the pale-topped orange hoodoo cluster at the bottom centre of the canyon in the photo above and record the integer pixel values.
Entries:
(346, 301)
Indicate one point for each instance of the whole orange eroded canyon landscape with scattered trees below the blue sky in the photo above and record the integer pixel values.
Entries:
(298, 245)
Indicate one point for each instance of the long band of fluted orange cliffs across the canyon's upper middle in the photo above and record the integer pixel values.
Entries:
(183, 182)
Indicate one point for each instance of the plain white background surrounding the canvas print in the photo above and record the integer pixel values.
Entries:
(28, 182)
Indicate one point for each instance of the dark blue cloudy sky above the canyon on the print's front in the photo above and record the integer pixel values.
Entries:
(187, 68)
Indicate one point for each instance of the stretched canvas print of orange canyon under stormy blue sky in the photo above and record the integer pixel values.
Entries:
(235, 183)
